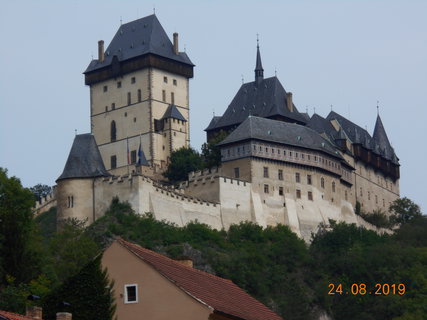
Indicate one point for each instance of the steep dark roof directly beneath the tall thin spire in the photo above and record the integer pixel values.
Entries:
(265, 98)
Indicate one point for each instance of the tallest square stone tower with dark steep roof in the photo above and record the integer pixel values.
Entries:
(139, 96)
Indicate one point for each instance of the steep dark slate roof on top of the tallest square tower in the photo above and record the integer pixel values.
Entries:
(136, 38)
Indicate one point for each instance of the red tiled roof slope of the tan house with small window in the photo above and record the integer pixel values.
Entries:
(220, 294)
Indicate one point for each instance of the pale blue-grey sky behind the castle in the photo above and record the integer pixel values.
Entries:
(347, 54)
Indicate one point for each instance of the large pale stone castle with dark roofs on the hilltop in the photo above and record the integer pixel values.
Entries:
(278, 165)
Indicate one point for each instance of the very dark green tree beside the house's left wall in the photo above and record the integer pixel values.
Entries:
(88, 292)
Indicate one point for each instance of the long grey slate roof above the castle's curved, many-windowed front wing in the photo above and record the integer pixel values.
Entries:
(281, 132)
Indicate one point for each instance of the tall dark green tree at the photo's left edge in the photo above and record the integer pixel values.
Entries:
(19, 252)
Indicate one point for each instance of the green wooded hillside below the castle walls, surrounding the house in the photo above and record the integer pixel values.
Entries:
(346, 272)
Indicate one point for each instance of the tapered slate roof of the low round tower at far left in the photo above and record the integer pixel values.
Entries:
(84, 160)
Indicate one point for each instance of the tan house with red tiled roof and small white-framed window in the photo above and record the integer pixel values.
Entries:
(148, 285)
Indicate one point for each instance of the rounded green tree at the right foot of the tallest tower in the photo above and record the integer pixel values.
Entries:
(182, 162)
